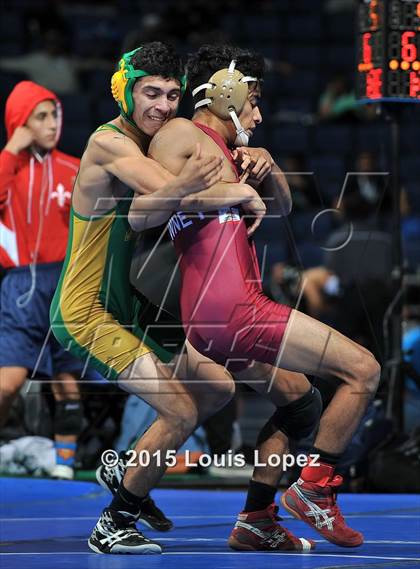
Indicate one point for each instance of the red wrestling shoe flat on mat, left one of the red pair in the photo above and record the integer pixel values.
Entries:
(259, 531)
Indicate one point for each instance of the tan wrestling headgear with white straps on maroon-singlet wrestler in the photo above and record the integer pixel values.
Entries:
(225, 95)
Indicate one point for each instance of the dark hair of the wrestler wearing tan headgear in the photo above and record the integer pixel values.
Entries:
(210, 58)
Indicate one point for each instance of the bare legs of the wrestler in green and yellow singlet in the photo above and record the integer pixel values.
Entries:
(176, 402)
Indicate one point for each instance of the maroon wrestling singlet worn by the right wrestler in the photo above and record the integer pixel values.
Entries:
(225, 313)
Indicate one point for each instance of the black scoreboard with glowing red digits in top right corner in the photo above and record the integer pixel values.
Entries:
(388, 50)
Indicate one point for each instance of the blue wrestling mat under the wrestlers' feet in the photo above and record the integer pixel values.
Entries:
(45, 523)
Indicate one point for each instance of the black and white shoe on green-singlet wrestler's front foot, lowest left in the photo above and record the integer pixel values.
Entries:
(117, 533)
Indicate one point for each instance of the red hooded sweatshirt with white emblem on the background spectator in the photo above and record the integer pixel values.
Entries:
(34, 193)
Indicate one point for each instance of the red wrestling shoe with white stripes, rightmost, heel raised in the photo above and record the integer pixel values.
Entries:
(316, 505)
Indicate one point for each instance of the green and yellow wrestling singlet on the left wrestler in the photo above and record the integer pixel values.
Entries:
(94, 312)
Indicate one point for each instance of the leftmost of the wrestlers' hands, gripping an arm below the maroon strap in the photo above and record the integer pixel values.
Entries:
(200, 172)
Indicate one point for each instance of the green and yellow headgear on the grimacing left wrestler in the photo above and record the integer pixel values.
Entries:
(123, 81)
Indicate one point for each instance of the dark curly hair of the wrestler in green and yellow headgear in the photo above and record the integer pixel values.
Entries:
(158, 58)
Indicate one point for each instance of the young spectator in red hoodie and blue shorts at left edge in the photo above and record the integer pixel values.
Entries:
(36, 181)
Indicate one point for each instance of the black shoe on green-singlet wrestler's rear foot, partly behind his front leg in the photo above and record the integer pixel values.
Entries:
(109, 477)
